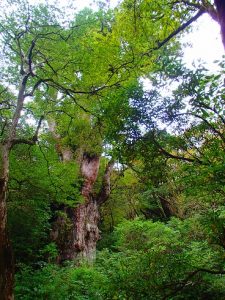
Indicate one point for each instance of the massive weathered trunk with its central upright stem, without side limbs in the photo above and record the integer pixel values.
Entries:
(76, 234)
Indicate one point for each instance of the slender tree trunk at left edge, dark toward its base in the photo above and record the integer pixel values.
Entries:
(6, 257)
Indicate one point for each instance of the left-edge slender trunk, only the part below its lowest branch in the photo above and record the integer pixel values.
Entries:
(6, 257)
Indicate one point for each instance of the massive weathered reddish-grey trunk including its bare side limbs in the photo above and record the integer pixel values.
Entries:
(76, 230)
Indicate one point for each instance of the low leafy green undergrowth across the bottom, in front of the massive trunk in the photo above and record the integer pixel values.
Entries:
(149, 261)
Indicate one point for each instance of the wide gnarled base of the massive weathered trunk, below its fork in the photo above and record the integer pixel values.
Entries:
(76, 234)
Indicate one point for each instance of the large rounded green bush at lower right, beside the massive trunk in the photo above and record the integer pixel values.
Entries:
(155, 261)
